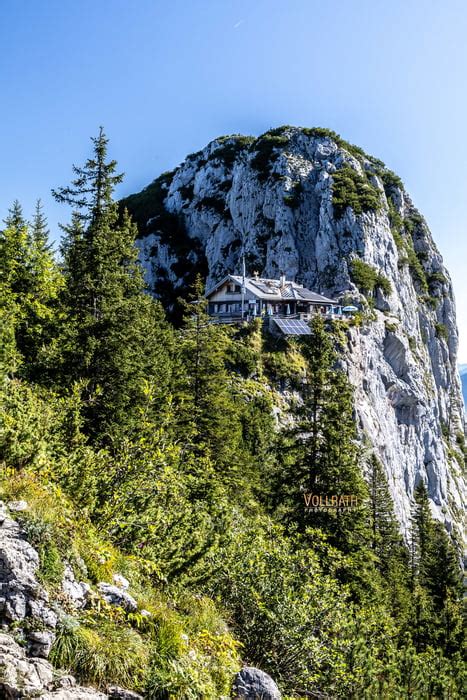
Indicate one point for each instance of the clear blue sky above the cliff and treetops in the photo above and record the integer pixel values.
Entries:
(164, 77)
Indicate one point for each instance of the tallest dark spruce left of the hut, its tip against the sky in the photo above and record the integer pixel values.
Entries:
(115, 339)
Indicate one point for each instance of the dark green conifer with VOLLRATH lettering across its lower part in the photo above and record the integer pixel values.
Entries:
(323, 452)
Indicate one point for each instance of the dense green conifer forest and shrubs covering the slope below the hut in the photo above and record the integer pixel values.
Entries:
(179, 456)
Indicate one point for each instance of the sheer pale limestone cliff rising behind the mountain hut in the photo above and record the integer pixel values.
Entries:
(304, 203)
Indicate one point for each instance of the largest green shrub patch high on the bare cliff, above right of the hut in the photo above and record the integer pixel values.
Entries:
(350, 189)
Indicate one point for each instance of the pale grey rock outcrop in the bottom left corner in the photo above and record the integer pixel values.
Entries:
(28, 616)
